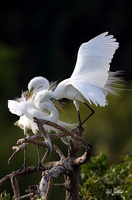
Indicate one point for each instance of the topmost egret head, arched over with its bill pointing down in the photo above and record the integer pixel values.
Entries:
(36, 84)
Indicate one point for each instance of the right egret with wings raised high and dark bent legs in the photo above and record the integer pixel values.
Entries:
(91, 79)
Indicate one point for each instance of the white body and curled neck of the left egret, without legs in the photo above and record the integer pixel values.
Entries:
(26, 111)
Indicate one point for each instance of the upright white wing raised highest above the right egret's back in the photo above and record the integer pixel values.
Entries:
(94, 58)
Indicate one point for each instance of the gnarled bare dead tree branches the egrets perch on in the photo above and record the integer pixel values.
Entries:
(67, 166)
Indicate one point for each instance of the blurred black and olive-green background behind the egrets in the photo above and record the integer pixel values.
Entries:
(42, 38)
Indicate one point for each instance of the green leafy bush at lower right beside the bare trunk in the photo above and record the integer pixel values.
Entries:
(106, 182)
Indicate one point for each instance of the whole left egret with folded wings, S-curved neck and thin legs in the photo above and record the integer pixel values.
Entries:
(27, 110)
